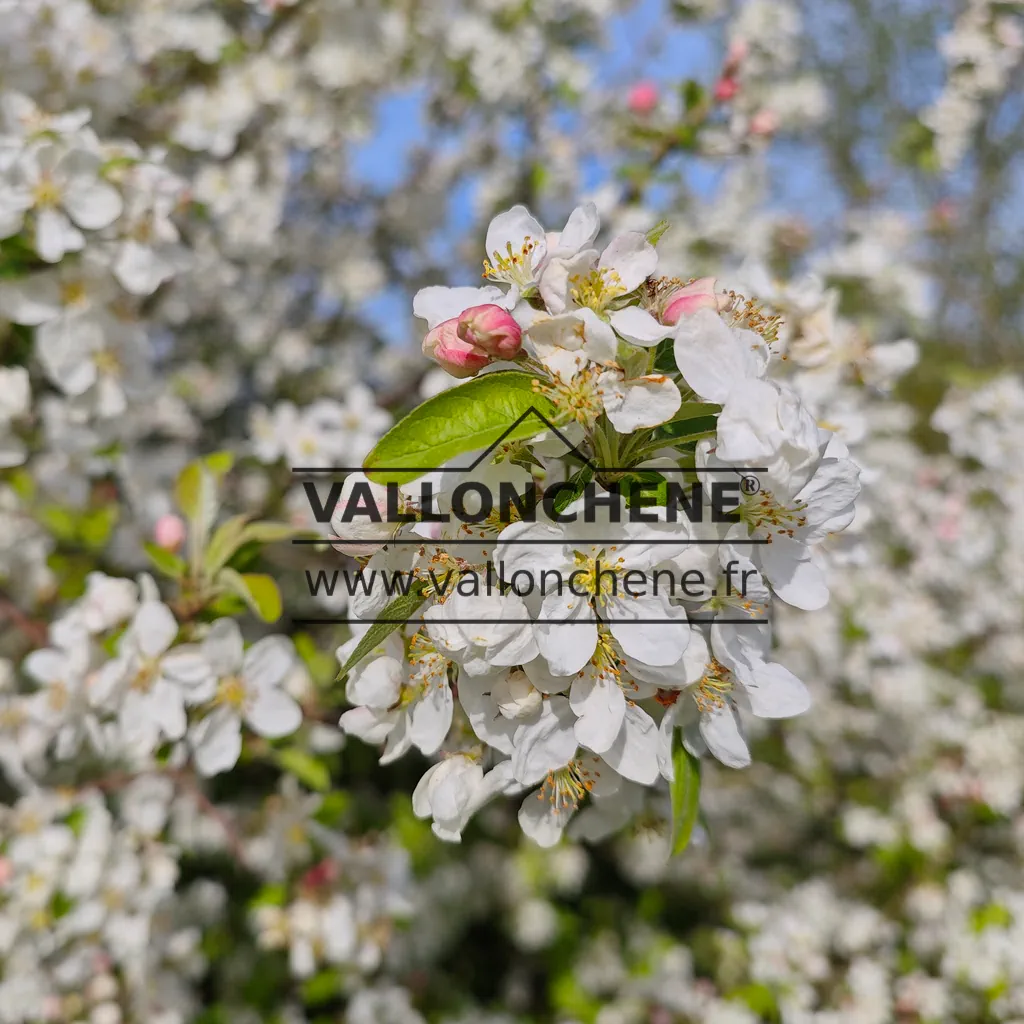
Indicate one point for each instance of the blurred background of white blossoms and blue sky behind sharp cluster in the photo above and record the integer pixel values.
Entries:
(215, 216)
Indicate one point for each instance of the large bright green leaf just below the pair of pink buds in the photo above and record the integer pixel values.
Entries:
(476, 415)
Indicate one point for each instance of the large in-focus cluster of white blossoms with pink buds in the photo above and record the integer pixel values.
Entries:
(575, 693)
